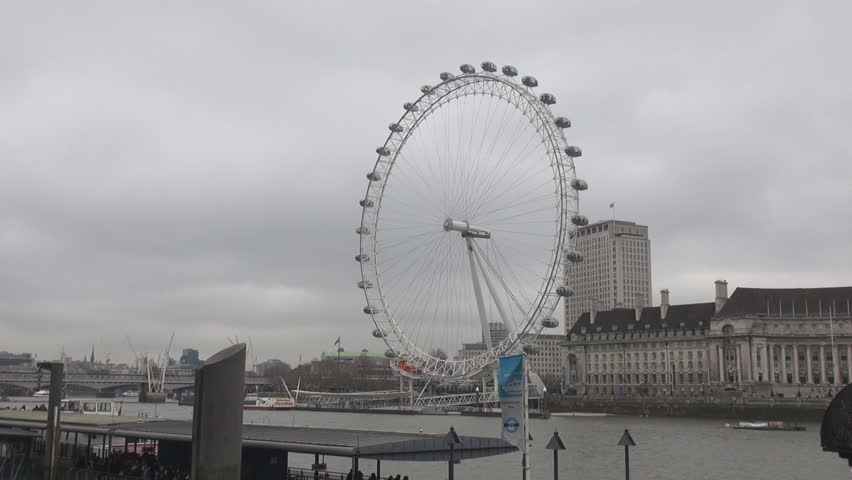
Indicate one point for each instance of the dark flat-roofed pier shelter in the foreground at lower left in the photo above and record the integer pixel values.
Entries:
(266, 448)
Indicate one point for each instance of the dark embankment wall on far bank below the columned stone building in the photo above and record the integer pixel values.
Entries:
(724, 408)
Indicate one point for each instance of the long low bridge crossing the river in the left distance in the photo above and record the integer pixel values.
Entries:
(109, 382)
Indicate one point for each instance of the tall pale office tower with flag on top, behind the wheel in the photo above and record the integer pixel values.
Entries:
(615, 271)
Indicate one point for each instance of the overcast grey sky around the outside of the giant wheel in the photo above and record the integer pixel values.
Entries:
(197, 168)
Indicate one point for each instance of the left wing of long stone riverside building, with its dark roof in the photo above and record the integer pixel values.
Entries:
(639, 351)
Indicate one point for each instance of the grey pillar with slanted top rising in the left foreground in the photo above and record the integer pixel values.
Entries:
(217, 420)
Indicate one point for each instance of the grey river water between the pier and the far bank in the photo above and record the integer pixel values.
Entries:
(667, 448)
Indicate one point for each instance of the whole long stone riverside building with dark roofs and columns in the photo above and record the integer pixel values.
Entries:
(762, 342)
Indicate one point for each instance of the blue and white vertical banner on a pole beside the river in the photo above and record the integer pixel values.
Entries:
(511, 385)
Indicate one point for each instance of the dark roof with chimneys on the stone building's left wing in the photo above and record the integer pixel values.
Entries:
(693, 316)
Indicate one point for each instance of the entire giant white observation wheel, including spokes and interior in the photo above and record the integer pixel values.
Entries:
(465, 235)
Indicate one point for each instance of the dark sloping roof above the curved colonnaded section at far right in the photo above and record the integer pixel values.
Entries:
(788, 301)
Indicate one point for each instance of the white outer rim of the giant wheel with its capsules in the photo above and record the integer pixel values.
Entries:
(522, 97)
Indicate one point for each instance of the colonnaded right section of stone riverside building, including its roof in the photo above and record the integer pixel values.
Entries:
(783, 342)
